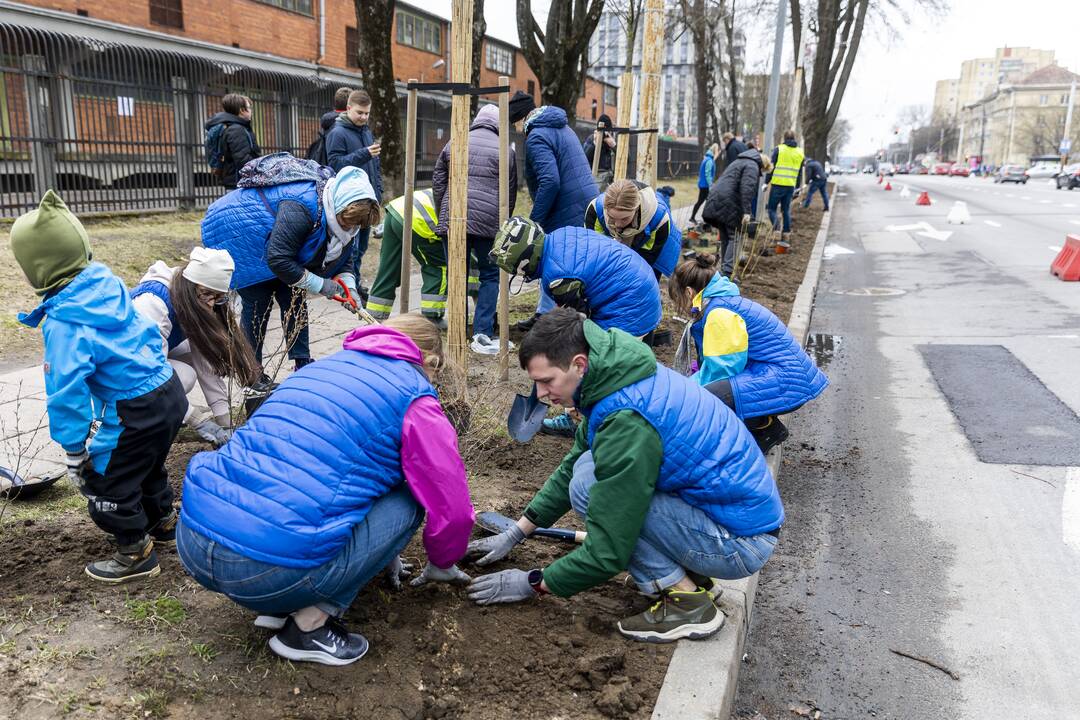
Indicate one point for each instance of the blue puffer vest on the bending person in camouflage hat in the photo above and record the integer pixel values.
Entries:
(620, 287)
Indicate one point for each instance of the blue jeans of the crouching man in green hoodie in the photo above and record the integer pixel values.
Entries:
(678, 537)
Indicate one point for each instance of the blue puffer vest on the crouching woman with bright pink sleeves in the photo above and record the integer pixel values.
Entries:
(293, 482)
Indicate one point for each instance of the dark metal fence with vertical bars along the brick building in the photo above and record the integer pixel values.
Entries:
(119, 128)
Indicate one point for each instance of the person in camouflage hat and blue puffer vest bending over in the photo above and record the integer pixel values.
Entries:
(587, 271)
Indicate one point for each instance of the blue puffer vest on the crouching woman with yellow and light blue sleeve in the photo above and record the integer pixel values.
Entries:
(779, 376)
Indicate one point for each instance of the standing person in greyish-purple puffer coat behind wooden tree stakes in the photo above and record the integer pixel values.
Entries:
(482, 223)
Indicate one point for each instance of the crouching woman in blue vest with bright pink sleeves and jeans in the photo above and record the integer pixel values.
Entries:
(326, 485)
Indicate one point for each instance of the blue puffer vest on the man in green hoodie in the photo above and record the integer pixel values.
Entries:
(711, 460)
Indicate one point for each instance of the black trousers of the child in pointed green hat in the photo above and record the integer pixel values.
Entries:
(133, 495)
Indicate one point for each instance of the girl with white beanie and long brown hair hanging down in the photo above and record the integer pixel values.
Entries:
(191, 307)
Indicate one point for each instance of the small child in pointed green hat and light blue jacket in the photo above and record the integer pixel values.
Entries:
(104, 362)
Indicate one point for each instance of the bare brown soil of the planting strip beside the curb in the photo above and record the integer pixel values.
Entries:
(168, 648)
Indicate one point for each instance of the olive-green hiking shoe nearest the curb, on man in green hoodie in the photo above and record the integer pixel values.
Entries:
(678, 615)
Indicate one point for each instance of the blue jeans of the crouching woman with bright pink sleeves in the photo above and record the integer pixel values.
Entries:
(332, 588)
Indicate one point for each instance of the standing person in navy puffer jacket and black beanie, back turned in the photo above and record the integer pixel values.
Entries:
(559, 178)
